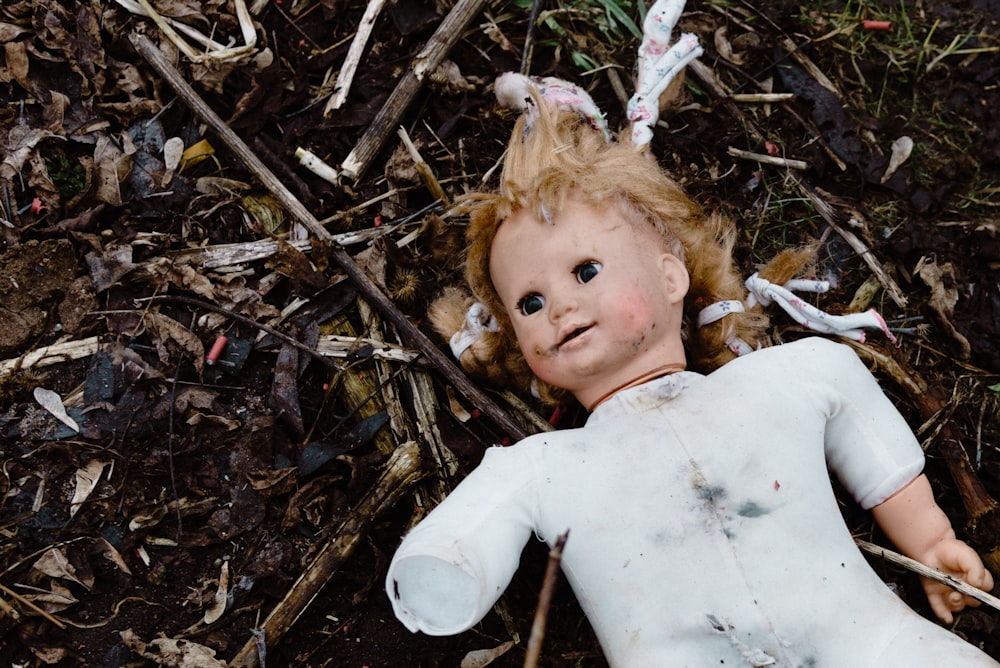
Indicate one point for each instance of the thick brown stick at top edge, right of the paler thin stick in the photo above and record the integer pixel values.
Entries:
(440, 43)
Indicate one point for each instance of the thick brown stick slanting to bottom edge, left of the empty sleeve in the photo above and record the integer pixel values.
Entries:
(401, 472)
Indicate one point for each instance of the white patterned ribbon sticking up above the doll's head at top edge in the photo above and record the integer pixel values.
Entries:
(658, 65)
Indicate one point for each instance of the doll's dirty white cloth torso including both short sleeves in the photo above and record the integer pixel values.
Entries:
(704, 530)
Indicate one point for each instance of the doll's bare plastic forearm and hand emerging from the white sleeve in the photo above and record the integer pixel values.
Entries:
(919, 528)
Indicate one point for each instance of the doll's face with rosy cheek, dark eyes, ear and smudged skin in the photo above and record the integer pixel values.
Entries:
(595, 300)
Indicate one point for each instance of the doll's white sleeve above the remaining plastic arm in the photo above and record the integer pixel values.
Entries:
(869, 446)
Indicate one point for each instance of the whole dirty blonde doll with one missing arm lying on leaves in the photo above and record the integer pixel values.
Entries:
(704, 529)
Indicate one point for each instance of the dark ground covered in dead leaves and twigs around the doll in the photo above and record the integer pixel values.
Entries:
(181, 479)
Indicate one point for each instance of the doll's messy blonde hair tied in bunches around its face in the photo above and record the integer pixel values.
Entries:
(558, 156)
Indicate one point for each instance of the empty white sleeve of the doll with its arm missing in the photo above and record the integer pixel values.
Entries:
(454, 565)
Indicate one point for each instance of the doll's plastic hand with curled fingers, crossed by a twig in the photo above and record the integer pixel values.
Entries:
(955, 558)
